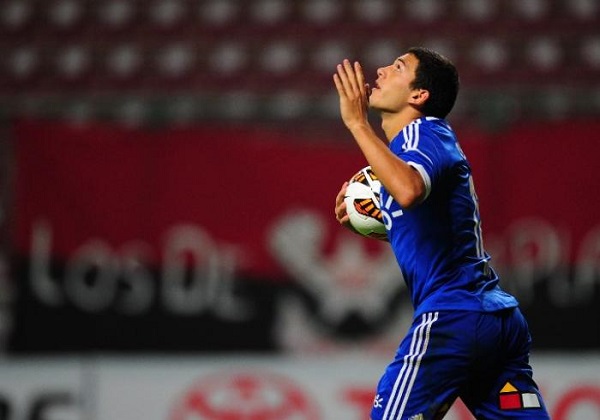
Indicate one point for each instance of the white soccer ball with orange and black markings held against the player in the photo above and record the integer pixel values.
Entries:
(362, 204)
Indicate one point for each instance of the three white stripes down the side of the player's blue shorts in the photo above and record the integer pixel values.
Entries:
(410, 368)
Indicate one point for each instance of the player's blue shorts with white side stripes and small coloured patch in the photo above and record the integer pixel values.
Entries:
(483, 358)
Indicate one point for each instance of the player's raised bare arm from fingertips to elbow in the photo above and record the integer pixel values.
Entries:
(400, 179)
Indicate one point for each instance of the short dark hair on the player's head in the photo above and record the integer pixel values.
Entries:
(438, 75)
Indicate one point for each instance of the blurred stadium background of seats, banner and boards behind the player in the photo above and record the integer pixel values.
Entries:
(168, 173)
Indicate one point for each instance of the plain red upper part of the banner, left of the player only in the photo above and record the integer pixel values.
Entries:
(121, 185)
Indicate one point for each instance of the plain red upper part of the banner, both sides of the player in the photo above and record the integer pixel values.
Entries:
(124, 185)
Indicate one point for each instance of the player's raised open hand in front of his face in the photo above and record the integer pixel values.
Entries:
(353, 92)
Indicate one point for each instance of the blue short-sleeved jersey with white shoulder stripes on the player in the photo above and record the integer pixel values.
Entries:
(438, 243)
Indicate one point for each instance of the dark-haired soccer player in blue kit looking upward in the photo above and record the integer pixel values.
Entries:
(468, 338)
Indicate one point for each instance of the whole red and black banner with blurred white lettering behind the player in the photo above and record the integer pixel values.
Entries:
(129, 222)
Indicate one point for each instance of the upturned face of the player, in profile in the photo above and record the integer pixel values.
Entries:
(392, 89)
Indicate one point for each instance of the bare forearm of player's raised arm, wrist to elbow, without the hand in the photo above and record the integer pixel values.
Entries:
(399, 178)
